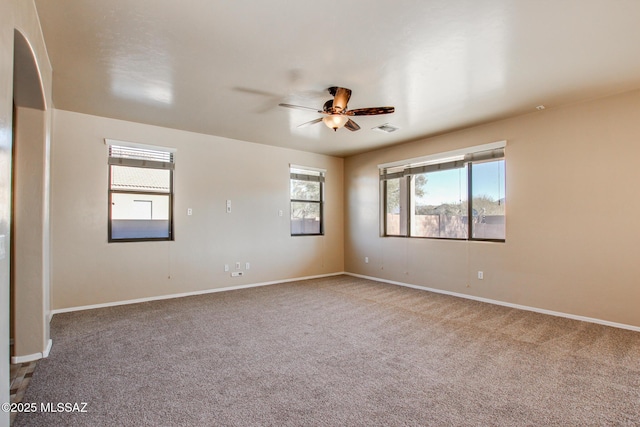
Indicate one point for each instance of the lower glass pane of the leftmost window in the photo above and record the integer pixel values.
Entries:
(139, 216)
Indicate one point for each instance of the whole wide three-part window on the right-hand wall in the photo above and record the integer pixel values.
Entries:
(456, 195)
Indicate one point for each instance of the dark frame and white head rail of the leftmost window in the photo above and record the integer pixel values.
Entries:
(136, 163)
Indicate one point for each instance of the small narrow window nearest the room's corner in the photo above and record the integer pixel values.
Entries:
(307, 197)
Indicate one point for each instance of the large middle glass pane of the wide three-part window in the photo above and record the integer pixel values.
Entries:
(439, 204)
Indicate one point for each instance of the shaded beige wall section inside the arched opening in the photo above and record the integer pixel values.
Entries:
(30, 267)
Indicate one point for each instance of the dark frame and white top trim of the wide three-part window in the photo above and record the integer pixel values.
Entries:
(405, 170)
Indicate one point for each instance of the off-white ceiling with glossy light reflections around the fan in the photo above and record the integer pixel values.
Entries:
(222, 67)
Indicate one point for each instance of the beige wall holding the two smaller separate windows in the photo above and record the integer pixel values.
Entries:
(87, 270)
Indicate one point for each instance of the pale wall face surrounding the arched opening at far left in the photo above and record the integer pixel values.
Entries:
(20, 15)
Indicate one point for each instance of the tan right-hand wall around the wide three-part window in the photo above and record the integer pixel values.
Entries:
(572, 207)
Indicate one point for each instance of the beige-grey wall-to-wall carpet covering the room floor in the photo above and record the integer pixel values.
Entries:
(335, 351)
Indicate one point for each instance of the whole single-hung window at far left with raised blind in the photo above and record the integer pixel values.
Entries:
(140, 192)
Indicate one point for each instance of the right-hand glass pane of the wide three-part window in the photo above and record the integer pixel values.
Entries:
(488, 200)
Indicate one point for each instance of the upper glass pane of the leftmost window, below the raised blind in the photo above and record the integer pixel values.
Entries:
(140, 179)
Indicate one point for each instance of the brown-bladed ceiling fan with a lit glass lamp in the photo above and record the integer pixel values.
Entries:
(335, 110)
